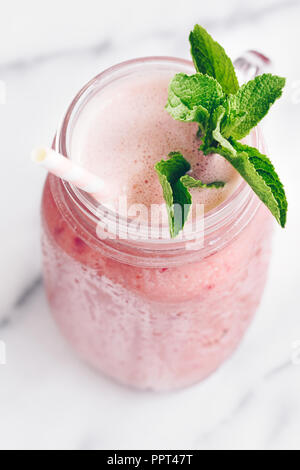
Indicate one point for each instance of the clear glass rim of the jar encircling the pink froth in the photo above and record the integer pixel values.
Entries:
(240, 206)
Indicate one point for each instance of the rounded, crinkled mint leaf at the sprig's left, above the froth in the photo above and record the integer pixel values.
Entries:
(192, 98)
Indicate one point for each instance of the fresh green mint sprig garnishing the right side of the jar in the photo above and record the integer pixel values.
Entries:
(227, 113)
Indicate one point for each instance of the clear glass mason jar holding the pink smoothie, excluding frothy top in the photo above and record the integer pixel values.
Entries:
(151, 313)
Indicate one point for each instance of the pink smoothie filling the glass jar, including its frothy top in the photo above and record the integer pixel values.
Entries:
(150, 313)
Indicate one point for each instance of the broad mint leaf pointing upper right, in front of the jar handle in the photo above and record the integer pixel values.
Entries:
(250, 104)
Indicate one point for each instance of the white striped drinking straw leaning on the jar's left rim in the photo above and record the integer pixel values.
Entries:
(69, 171)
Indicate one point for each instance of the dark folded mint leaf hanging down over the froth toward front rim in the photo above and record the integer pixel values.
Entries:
(176, 195)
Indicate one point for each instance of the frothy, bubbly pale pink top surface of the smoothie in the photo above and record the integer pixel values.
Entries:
(124, 130)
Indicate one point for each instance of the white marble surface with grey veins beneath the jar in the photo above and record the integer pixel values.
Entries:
(48, 399)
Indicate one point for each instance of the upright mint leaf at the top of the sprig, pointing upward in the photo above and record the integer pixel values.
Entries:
(211, 59)
